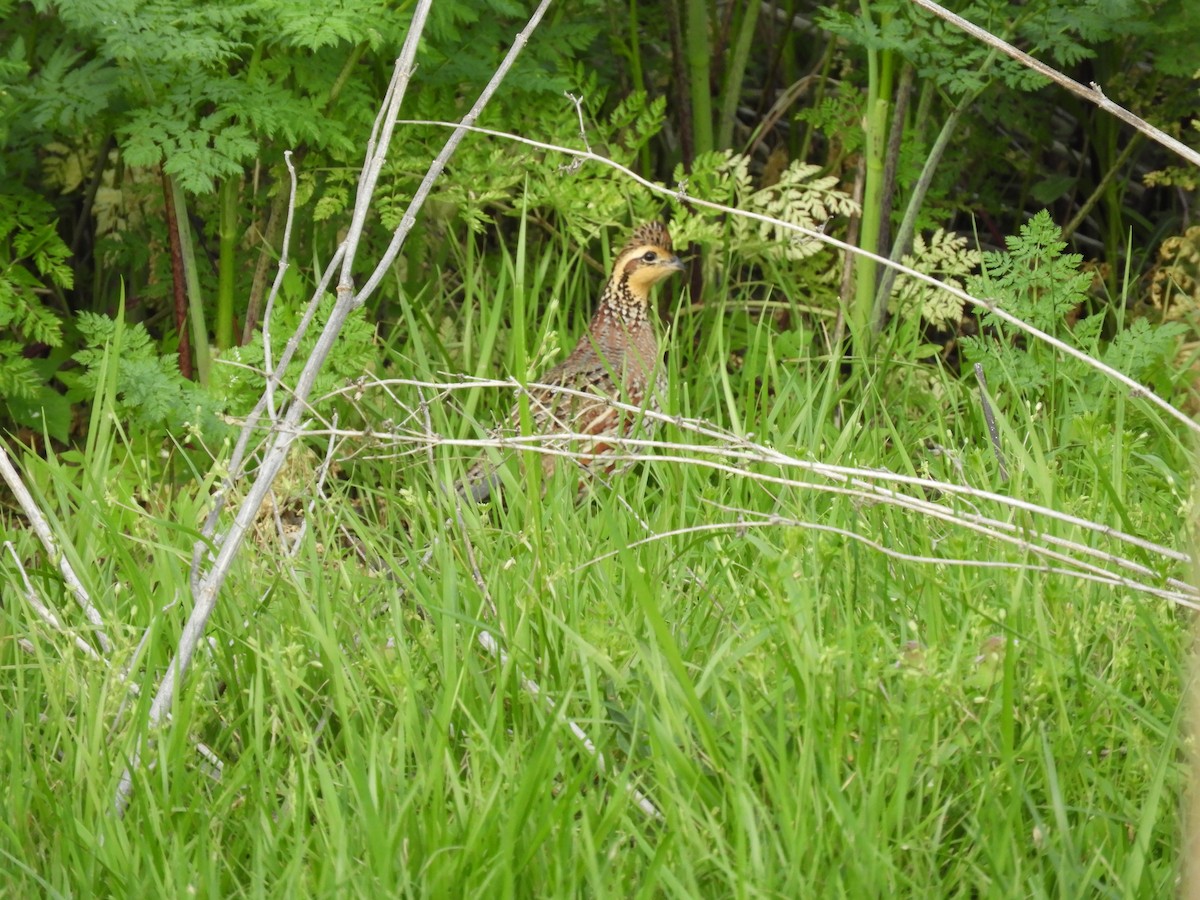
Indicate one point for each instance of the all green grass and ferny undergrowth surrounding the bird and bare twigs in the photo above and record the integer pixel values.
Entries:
(797, 688)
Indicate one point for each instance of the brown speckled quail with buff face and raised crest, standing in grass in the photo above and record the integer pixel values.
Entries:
(617, 359)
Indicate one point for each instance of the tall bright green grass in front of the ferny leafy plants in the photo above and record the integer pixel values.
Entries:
(807, 716)
